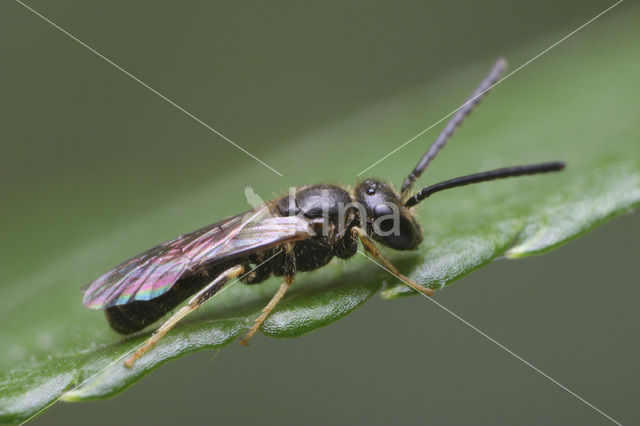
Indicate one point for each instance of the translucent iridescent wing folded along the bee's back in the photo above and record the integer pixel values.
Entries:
(152, 273)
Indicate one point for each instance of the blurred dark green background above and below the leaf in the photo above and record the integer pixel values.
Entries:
(86, 150)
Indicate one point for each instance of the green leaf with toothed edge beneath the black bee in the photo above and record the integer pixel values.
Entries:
(578, 105)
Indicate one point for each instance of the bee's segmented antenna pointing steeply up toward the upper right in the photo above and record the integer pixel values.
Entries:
(492, 78)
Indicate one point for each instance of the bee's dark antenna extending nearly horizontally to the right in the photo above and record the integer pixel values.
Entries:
(530, 169)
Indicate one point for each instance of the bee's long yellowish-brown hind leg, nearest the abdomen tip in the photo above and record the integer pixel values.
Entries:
(195, 302)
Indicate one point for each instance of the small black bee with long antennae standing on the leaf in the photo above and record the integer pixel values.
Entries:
(302, 231)
